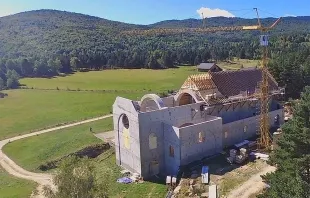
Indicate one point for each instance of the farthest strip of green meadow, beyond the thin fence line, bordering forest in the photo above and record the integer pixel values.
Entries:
(122, 79)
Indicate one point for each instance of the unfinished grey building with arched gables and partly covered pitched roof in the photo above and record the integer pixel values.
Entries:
(211, 111)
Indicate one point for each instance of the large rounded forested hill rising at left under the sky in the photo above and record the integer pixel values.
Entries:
(50, 31)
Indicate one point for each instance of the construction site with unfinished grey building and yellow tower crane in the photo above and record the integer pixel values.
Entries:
(217, 112)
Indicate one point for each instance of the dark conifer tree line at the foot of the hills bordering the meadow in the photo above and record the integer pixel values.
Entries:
(289, 63)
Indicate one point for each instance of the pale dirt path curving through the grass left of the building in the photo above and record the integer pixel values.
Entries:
(41, 178)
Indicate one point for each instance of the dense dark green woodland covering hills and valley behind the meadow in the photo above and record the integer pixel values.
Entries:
(47, 42)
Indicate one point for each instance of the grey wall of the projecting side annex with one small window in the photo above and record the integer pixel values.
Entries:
(192, 148)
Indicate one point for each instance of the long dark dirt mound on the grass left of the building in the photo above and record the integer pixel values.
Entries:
(92, 151)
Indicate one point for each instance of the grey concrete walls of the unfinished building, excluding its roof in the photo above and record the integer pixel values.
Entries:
(132, 146)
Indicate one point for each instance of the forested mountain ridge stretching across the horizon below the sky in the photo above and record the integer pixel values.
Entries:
(46, 33)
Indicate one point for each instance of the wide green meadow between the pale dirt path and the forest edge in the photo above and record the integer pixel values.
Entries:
(25, 110)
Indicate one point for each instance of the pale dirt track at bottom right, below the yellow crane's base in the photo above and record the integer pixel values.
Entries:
(252, 186)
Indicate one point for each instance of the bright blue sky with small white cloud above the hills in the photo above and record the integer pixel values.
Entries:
(150, 11)
